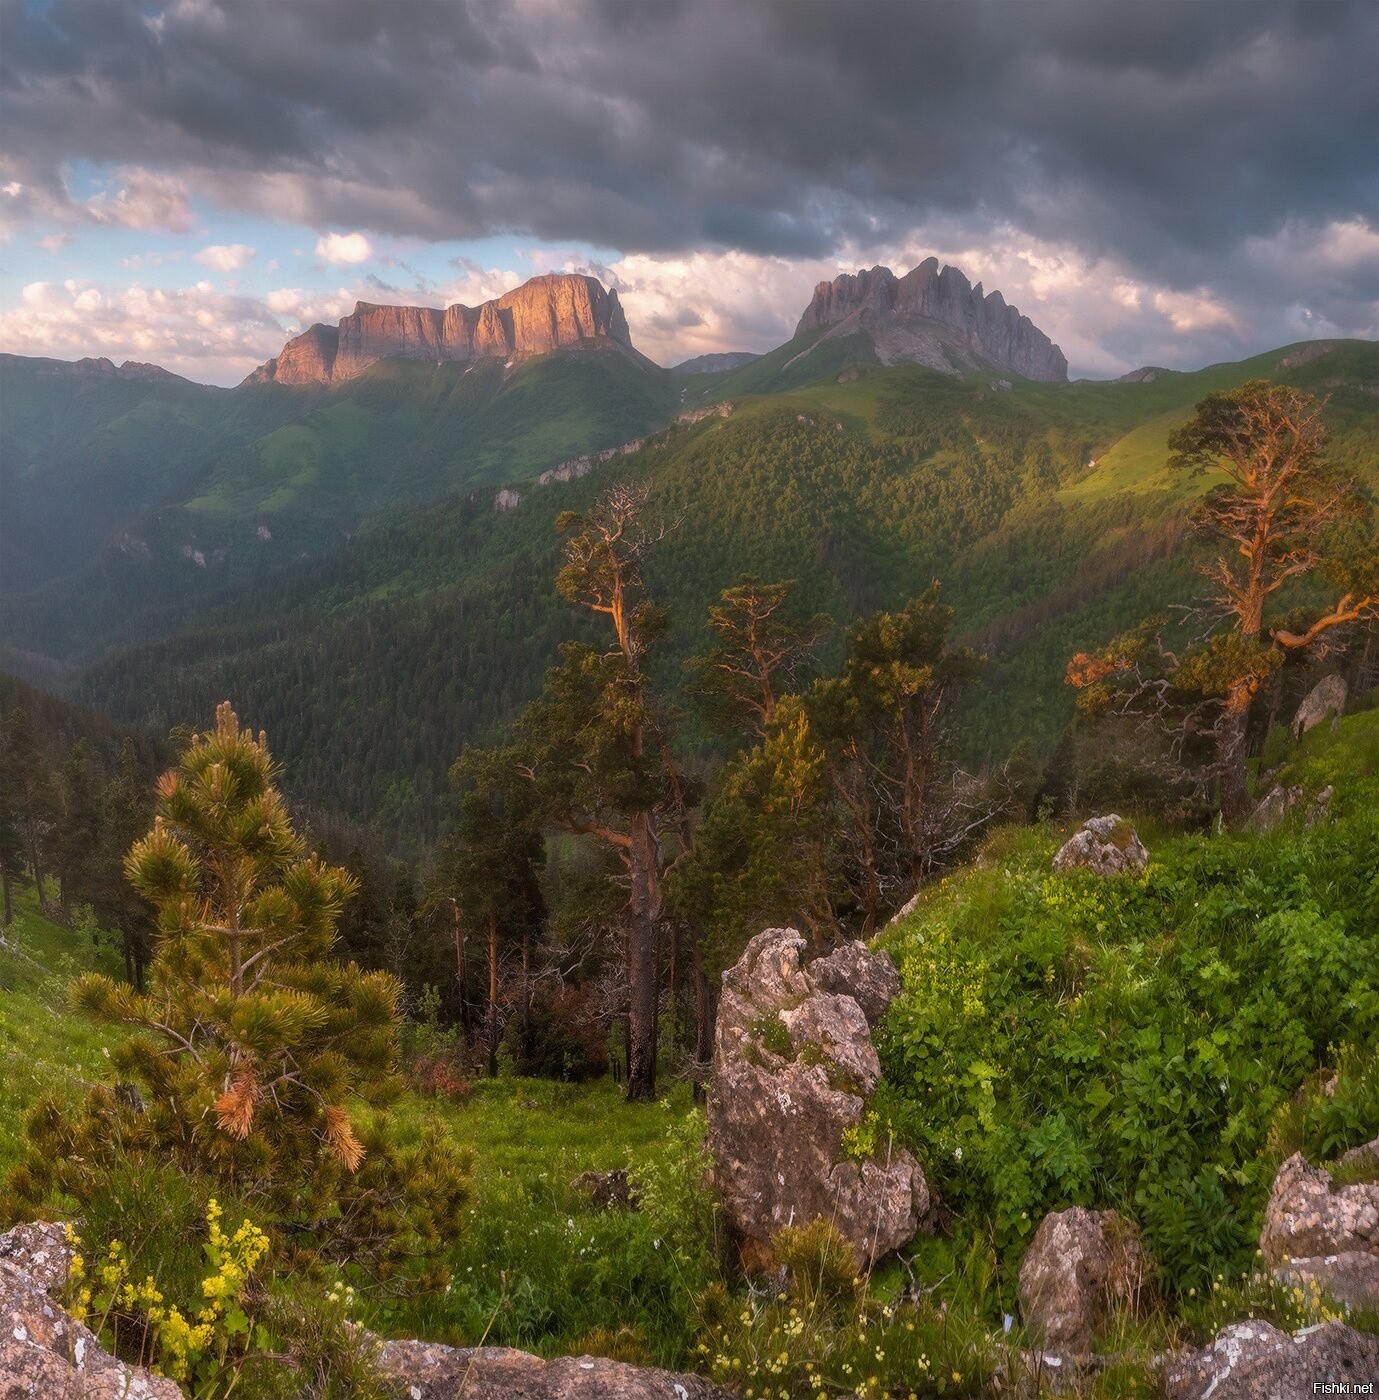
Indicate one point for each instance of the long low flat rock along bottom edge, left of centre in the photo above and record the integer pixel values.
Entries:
(425, 1371)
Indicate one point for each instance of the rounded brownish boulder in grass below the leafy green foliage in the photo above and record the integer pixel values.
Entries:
(1079, 1268)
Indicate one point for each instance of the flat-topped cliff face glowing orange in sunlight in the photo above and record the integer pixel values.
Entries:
(544, 314)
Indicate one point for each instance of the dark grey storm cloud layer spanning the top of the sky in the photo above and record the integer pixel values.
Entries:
(1164, 132)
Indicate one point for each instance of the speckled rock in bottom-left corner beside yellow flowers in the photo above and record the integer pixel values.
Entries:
(44, 1353)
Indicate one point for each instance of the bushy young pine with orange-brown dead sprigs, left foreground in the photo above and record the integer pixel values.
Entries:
(253, 1046)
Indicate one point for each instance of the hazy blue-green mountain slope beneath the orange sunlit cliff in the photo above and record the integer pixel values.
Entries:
(131, 503)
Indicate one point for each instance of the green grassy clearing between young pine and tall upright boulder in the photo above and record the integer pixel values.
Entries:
(537, 1266)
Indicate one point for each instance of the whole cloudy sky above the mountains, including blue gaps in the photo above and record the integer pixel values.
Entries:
(192, 181)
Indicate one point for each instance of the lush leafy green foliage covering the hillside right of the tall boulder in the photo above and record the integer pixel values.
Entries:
(1066, 1039)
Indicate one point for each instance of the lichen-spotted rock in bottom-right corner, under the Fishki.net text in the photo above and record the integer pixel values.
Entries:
(1255, 1361)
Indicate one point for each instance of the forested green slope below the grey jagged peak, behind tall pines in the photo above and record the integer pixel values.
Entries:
(373, 664)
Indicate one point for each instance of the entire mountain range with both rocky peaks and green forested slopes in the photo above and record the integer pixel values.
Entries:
(365, 561)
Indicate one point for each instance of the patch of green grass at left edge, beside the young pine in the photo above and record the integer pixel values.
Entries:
(44, 1048)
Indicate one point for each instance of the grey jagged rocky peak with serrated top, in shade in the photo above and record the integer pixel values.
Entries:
(934, 317)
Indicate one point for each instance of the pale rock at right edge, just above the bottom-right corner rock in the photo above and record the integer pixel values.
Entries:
(1325, 1235)
